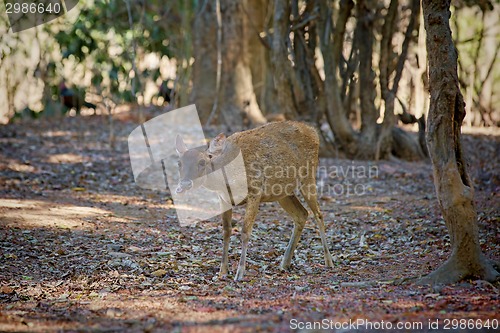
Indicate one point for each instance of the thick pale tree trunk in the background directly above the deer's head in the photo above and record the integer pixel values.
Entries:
(237, 100)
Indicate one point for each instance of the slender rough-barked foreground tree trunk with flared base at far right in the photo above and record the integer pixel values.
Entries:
(452, 182)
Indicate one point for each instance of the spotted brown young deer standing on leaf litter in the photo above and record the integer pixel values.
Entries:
(281, 159)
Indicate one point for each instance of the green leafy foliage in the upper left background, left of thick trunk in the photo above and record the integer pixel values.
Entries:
(108, 40)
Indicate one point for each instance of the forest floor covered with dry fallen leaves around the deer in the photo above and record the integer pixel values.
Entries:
(82, 248)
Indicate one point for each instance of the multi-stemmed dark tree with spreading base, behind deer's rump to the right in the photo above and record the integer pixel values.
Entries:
(372, 141)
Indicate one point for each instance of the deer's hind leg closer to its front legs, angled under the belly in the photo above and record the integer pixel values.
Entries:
(299, 215)
